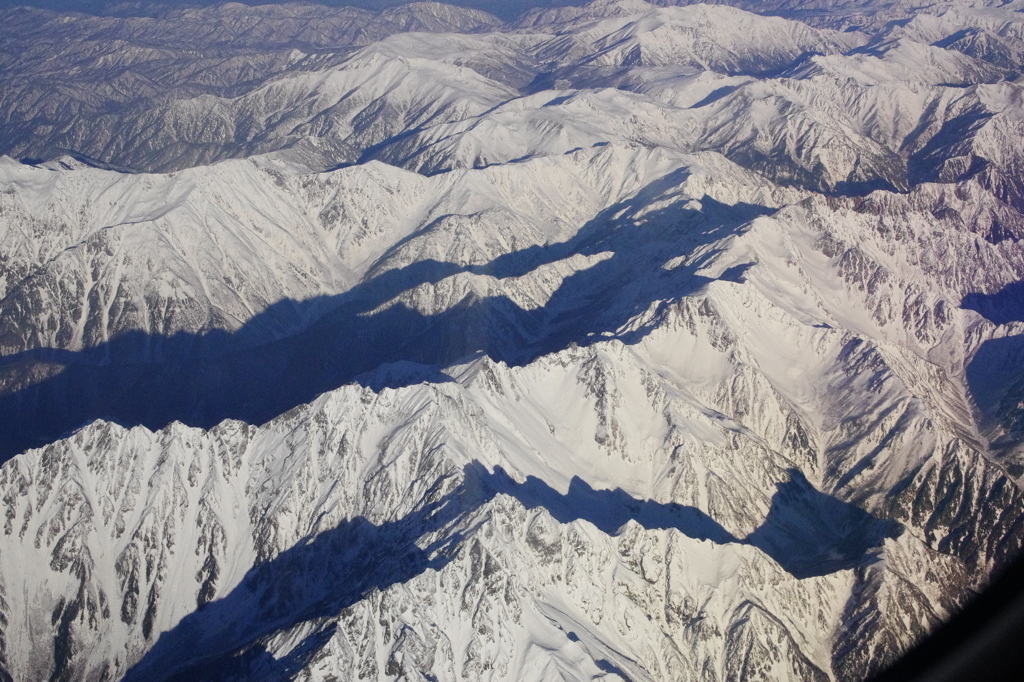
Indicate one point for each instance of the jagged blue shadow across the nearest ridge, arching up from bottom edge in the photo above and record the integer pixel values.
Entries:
(808, 533)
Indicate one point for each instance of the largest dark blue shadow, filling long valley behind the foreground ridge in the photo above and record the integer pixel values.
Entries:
(251, 375)
